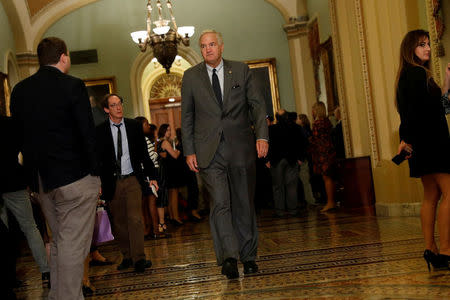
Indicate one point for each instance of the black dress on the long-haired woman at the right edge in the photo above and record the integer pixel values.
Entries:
(423, 123)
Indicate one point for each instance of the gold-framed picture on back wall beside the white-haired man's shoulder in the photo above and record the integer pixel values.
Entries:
(265, 73)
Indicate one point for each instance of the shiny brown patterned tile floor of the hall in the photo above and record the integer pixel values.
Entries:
(312, 256)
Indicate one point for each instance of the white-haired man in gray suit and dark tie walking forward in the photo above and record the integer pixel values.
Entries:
(220, 103)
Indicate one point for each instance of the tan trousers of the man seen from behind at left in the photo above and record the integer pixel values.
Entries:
(70, 213)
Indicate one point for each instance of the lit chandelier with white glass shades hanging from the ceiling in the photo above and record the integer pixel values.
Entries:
(163, 39)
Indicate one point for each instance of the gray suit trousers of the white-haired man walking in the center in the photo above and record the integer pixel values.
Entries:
(232, 216)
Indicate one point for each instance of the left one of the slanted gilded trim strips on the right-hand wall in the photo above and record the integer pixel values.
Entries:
(340, 78)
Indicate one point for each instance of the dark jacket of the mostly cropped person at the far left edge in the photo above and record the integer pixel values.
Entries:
(12, 175)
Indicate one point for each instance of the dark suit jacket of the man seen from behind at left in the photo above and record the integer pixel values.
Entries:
(55, 120)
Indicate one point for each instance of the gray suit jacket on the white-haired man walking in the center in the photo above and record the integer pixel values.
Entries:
(204, 120)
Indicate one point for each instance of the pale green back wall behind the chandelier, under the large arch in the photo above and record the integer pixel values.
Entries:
(96, 26)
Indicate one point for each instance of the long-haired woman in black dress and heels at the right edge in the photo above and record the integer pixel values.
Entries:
(424, 135)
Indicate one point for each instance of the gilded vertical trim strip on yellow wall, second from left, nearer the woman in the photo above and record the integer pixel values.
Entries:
(366, 82)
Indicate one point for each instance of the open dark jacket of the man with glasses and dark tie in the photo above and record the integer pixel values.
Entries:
(140, 161)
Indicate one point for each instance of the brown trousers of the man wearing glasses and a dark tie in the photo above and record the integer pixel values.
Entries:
(126, 210)
